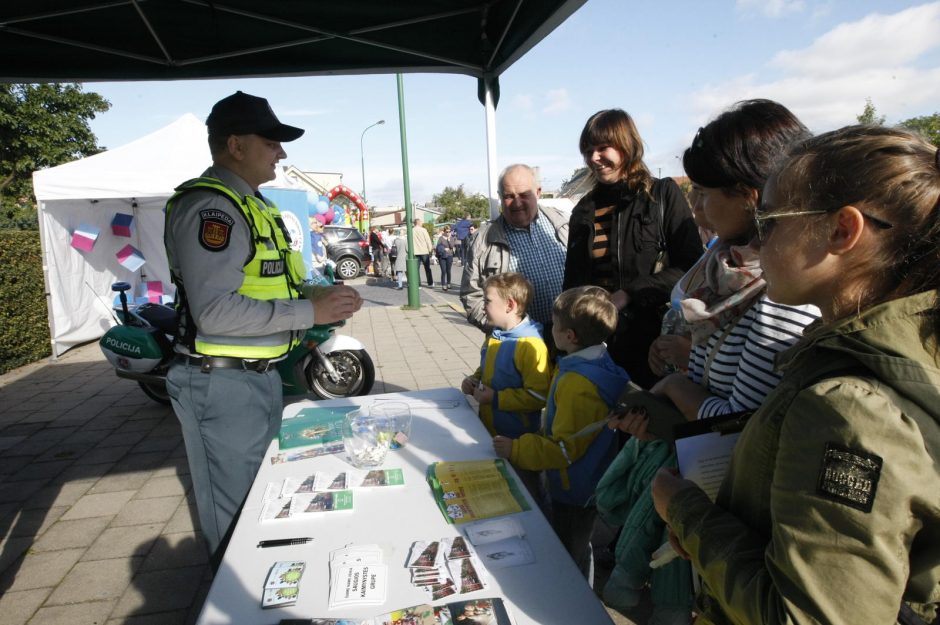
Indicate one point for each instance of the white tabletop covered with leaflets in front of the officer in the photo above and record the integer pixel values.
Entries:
(550, 591)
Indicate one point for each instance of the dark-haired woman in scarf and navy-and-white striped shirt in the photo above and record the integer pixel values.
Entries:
(735, 333)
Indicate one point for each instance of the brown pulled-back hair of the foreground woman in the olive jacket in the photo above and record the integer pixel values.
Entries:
(890, 174)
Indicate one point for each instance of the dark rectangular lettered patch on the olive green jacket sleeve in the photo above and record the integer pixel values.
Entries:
(849, 476)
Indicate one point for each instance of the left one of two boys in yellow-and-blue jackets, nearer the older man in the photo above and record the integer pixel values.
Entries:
(512, 381)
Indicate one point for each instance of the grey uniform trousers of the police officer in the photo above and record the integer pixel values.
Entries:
(228, 418)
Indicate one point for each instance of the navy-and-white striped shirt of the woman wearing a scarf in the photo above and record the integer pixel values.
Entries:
(742, 372)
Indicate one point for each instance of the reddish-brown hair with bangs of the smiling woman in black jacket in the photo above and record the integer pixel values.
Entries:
(615, 127)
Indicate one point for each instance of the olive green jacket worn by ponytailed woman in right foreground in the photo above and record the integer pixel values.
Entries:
(830, 512)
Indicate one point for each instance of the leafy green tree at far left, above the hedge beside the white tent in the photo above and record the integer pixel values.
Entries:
(40, 126)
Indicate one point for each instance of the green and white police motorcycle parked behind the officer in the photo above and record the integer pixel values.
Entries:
(324, 363)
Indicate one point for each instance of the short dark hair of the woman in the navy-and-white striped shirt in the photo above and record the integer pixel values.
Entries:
(739, 149)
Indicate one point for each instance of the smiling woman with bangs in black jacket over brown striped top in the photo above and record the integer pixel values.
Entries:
(632, 234)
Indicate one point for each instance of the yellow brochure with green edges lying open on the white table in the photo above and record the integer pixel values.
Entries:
(476, 489)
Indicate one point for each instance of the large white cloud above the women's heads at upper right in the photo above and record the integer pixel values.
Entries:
(826, 83)
